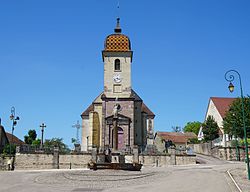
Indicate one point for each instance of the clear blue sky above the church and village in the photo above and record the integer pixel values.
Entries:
(51, 66)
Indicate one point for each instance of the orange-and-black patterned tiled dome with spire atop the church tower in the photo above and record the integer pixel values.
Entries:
(117, 42)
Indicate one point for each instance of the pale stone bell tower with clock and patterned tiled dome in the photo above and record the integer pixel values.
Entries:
(117, 58)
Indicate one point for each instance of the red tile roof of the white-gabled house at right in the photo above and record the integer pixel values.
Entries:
(222, 104)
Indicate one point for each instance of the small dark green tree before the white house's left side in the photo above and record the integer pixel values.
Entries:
(210, 129)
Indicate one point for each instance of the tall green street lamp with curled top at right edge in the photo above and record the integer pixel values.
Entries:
(229, 76)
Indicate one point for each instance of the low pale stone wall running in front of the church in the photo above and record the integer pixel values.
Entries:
(75, 161)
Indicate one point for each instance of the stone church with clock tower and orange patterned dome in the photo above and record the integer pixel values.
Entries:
(135, 121)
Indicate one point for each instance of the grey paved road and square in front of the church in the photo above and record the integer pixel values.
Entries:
(209, 177)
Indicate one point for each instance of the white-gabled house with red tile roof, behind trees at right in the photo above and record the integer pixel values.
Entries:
(217, 107)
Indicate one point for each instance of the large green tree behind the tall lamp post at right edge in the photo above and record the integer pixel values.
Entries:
(233, 121)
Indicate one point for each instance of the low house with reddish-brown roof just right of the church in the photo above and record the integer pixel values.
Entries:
(179, 139)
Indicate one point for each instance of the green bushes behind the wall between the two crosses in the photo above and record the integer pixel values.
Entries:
(56, 142)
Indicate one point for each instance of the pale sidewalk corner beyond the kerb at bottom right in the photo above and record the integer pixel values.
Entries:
(240, 176)
